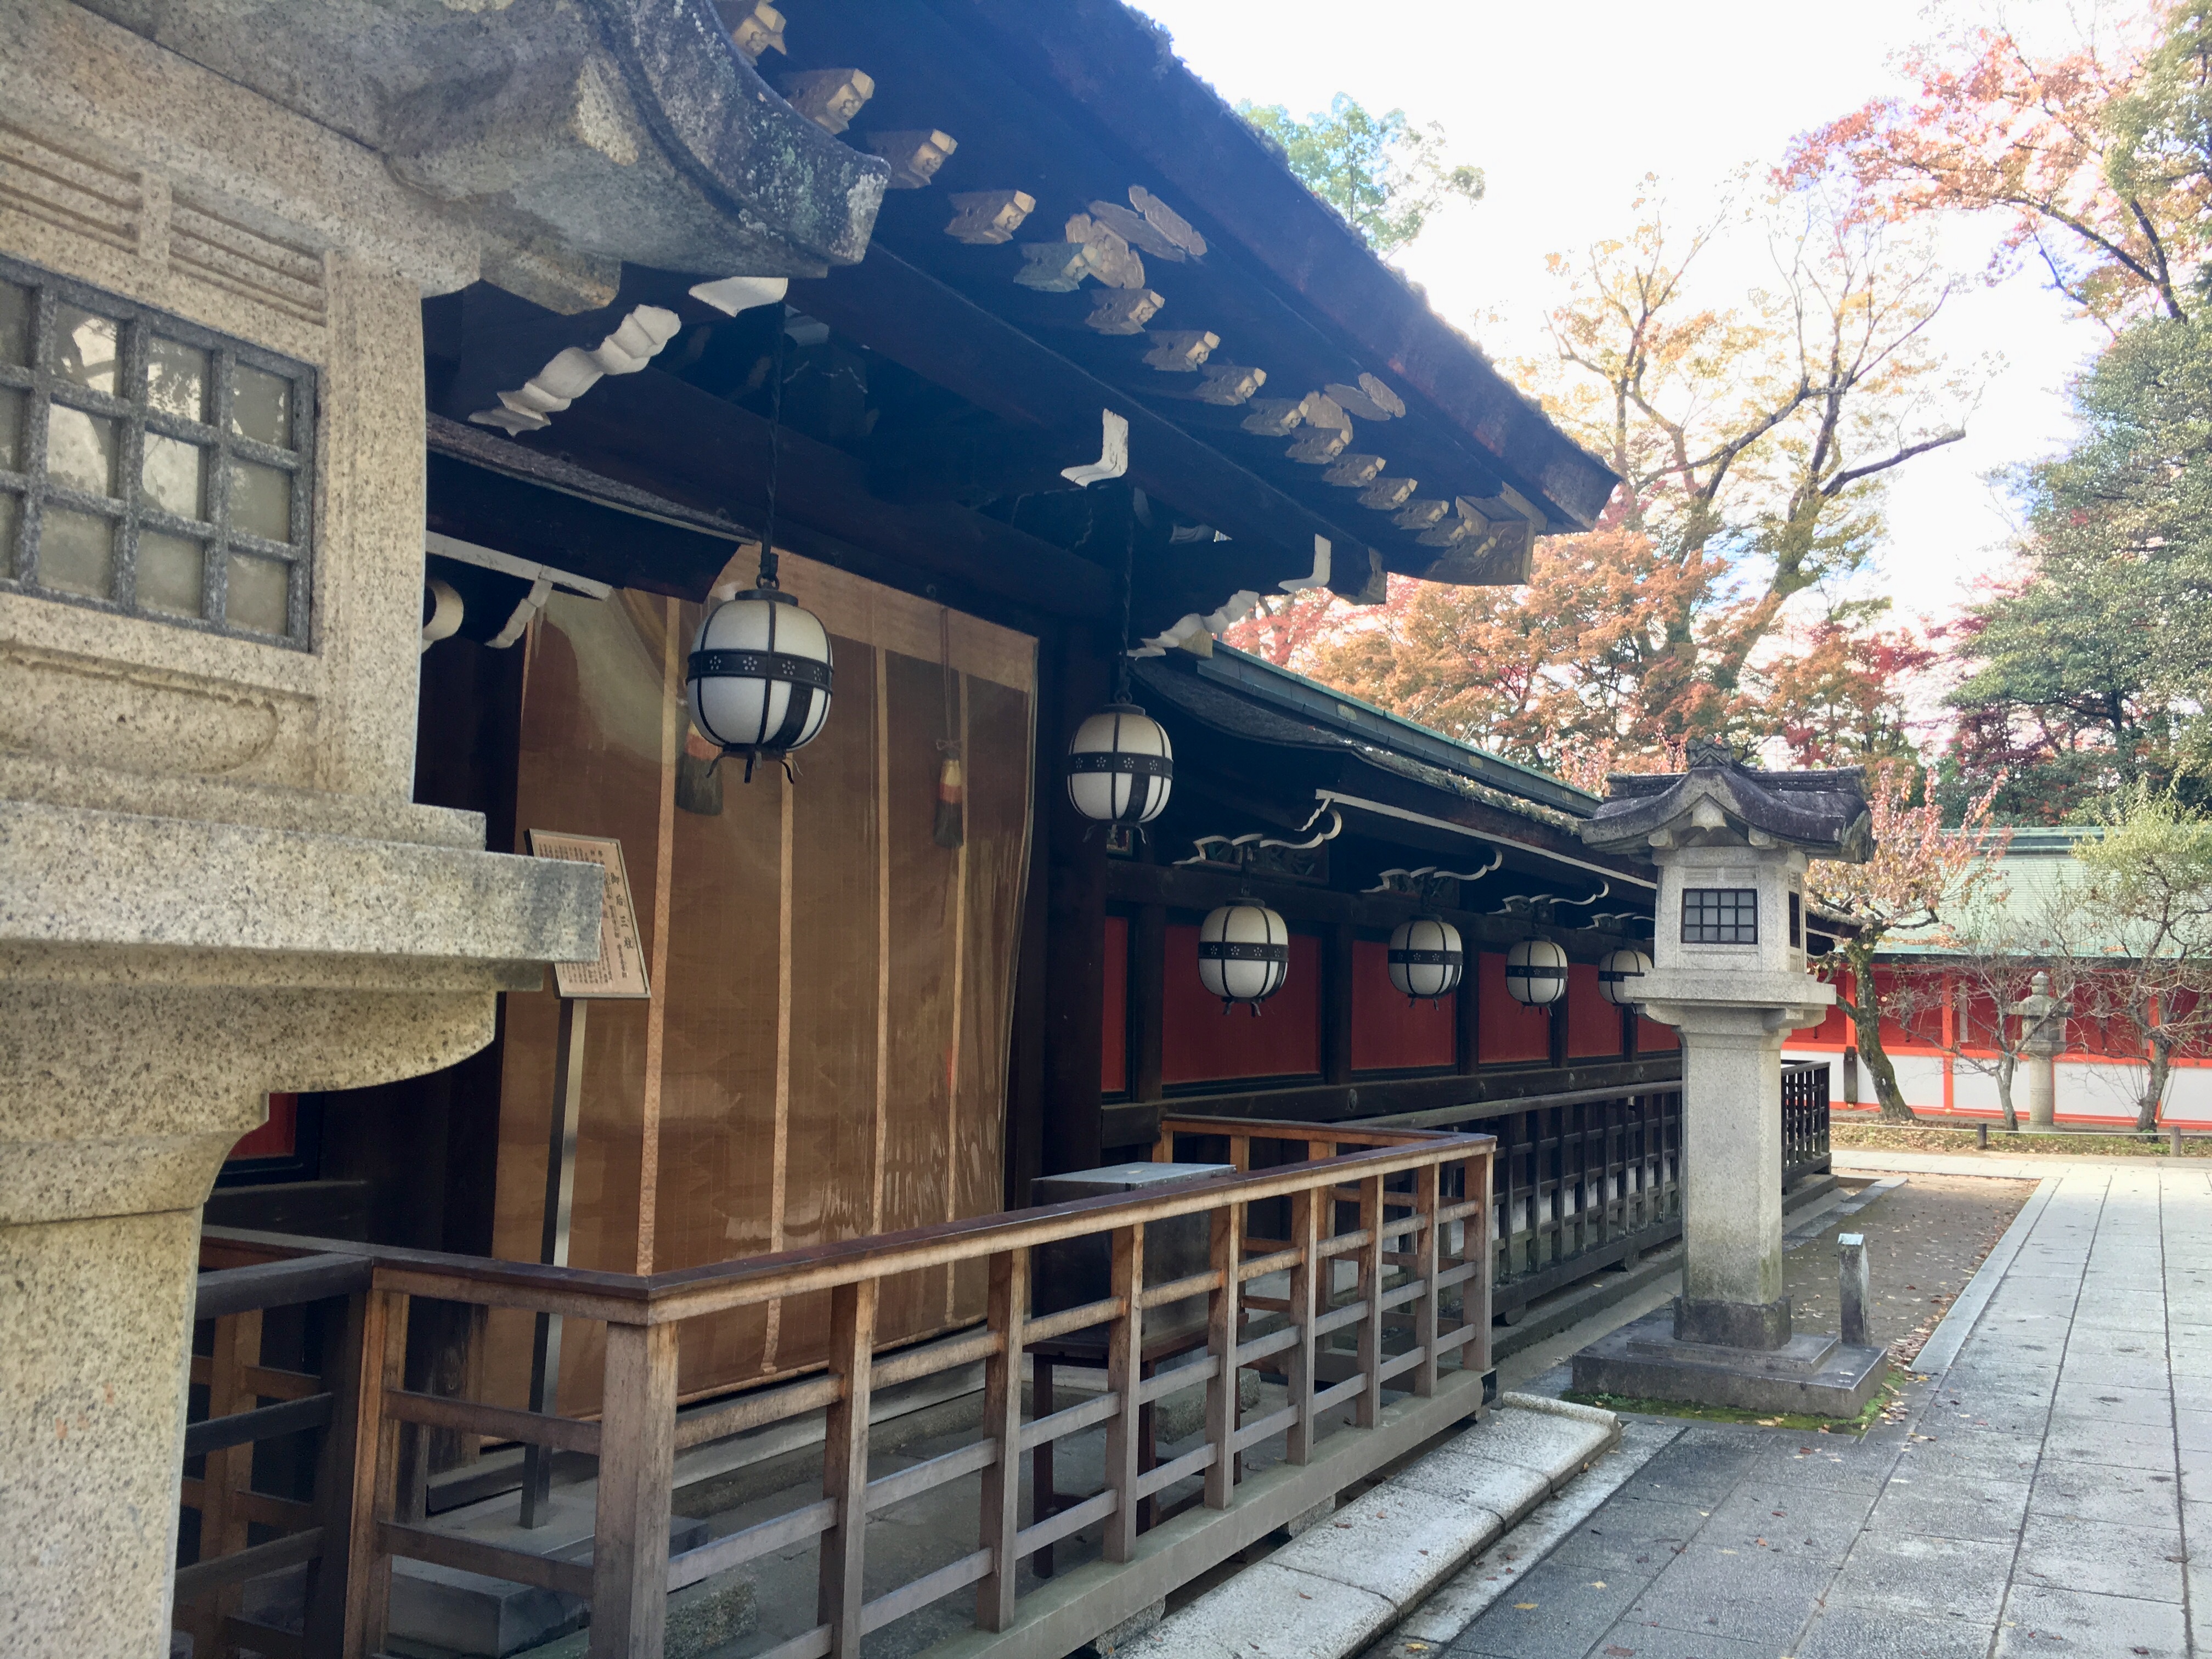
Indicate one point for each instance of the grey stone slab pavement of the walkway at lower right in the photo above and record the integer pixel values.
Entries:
(2041, 1496)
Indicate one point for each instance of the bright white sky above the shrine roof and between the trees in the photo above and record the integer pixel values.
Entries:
(1567, 107)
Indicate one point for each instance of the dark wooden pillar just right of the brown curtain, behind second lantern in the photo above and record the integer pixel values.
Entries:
(1076, 930)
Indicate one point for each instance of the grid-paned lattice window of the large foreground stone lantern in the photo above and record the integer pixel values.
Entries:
(149, 466)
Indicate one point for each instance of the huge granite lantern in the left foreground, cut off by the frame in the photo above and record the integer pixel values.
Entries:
(218, 229)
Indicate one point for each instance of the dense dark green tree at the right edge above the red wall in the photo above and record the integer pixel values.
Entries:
(2096, 671)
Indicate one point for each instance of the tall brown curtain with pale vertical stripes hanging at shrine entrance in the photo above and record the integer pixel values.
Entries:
(826, 1047)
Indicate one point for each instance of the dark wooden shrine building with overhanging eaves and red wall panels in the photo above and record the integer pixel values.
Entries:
(855, 1027)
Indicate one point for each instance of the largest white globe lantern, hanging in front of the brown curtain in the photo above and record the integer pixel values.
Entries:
(760, 676)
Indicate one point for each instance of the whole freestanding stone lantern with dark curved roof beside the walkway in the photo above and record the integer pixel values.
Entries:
(1733, 846)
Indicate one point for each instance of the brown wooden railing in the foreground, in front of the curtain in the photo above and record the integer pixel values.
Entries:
(1364, 1308)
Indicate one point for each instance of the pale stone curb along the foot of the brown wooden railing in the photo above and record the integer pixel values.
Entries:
(1346, 1583)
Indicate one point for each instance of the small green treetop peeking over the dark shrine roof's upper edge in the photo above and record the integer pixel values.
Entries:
(1379, 171)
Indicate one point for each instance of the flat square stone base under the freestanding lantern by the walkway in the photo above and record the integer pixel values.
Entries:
(1815, 1375)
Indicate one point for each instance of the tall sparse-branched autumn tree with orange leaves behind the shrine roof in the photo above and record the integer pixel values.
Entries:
(1753, 444)
